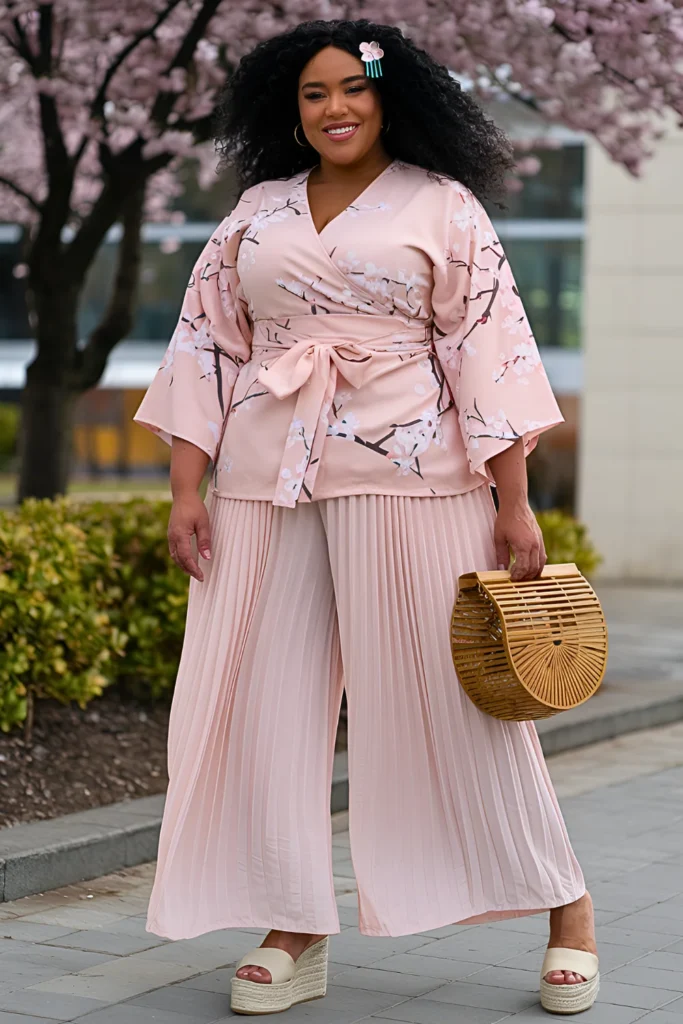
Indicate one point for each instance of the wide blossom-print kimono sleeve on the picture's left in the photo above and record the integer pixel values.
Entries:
(191, 394)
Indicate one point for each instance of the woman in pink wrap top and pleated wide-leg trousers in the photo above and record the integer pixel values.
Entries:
(354, 358)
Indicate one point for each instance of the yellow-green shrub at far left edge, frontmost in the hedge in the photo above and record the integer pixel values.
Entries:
(57, 639)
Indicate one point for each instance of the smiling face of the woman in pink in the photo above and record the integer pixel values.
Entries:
(340, 109)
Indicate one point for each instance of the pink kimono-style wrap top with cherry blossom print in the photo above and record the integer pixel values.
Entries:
(389, 355)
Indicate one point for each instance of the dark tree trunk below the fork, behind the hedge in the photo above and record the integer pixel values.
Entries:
(46, 437)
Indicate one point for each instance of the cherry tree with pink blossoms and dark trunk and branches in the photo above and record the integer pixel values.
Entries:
(101, 102)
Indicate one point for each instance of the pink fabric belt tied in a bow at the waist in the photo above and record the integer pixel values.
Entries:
(306, 355)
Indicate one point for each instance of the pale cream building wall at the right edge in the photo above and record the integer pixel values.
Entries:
(631, 458)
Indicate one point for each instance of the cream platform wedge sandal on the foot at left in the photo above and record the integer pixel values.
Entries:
(293, 980)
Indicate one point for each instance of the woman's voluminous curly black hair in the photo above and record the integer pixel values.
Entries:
(433, 122)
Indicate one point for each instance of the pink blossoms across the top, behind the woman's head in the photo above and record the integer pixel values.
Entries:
(610, 68)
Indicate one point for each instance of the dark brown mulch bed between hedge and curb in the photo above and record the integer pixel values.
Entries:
(113, 751)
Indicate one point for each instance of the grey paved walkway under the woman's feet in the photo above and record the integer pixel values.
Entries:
(82, 955)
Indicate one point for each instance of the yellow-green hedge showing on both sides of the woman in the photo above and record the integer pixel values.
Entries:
(90, 599)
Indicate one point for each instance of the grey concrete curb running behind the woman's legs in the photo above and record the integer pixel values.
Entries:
(74, 848)
